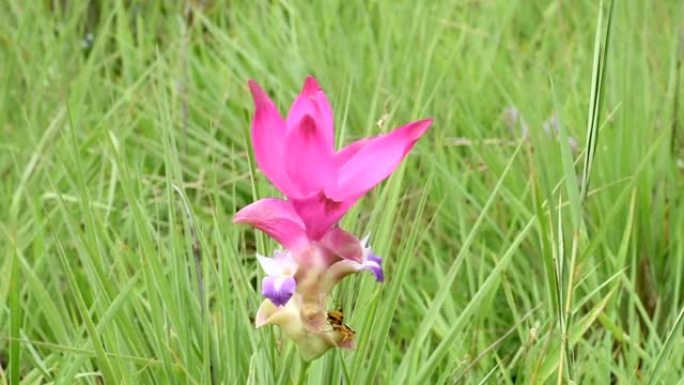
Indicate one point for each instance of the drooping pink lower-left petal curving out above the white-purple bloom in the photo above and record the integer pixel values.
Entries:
(278, 219)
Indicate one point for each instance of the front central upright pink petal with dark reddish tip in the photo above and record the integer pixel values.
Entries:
(308, 159)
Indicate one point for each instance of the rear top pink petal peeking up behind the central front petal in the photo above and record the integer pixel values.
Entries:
(313, 102)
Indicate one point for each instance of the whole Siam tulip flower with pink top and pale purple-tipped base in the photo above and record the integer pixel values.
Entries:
(320, 185)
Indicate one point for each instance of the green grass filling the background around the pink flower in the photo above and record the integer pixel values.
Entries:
(506, 264)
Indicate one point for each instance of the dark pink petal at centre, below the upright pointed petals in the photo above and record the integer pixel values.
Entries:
(319, 213)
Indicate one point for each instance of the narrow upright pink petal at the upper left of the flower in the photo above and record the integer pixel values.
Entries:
(268, 138)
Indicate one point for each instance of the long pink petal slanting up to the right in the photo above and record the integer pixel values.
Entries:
(376, 161)
